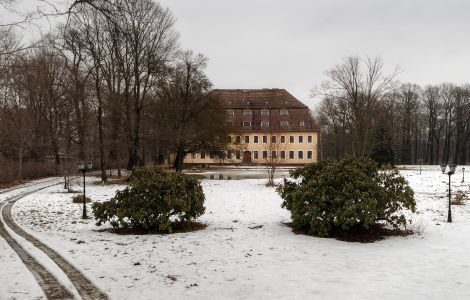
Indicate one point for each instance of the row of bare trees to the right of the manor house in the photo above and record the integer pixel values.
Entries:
(366, 112)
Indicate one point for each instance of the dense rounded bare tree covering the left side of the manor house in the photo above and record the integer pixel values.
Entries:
(189, 119)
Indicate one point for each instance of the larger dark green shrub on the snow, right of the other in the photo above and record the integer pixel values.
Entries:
(346, 194)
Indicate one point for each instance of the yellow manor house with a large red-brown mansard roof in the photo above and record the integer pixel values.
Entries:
(267, 125)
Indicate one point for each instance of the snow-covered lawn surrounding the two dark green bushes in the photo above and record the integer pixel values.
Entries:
(247, 253)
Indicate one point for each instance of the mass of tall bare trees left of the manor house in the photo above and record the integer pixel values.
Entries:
(110, 85)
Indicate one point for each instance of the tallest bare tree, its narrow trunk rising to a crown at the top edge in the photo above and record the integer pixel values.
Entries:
(143, 42)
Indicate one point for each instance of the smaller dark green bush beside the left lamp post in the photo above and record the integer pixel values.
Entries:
(155, 200)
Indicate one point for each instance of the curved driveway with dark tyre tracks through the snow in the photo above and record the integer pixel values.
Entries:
(50, 285)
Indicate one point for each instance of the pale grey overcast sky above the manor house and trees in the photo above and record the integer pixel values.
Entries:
(290, 44)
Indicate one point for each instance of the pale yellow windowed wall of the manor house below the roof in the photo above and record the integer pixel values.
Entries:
(250, 148)
